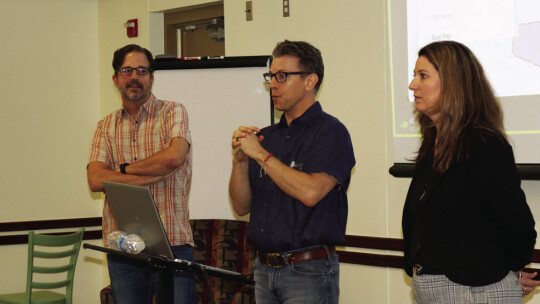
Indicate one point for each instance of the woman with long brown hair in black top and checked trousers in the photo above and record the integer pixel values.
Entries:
(467, 228)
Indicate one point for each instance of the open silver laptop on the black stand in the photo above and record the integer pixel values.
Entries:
(135, 212)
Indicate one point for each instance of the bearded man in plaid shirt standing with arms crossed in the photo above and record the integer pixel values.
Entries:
(147, 142)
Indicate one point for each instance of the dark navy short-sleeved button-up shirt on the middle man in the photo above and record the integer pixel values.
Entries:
(313, 143)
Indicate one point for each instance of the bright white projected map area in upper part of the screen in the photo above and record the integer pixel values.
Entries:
(500, 33)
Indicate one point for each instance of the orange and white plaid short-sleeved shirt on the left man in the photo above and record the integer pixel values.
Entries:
(120, 140)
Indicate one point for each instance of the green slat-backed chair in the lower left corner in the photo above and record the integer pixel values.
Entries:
(42, 250)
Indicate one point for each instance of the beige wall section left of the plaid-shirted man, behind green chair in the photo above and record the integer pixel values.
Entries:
(50, 94)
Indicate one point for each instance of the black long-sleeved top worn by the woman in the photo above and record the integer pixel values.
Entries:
(472, 223)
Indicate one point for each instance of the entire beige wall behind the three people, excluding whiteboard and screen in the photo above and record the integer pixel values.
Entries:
(57, 61)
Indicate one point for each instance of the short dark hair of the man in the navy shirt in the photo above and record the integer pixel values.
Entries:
(309, 57)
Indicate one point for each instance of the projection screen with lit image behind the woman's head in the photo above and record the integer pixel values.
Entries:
(503, 34)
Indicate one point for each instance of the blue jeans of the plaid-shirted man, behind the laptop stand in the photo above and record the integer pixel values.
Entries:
(132, 284)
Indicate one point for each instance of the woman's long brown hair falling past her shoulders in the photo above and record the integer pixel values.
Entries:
(466, 101)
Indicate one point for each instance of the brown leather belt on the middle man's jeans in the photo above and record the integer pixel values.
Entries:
(277, 260)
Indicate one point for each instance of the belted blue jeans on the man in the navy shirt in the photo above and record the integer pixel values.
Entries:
(313, 282)
